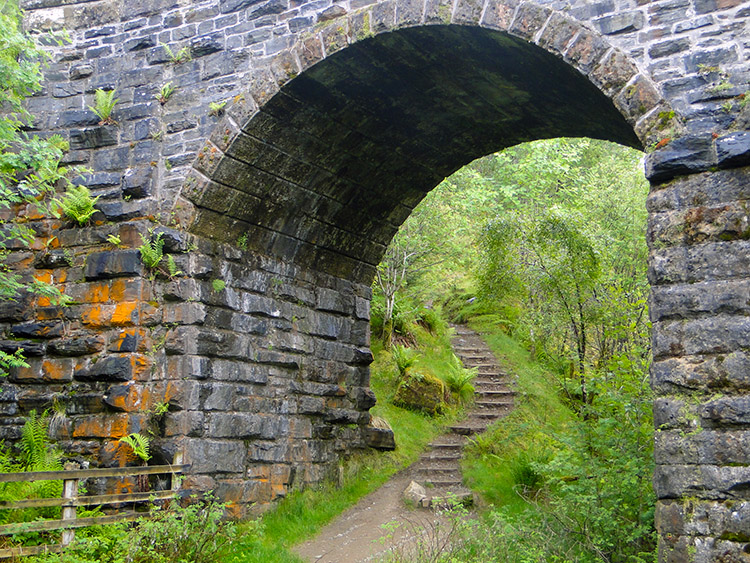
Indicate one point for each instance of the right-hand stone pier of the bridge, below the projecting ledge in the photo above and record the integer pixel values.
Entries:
(701, 370)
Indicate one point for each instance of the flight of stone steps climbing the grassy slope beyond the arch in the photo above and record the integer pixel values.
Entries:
(440, 466)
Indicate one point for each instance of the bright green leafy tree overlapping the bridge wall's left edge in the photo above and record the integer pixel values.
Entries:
(29, 165)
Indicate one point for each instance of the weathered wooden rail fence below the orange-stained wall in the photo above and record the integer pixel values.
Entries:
(70, 501)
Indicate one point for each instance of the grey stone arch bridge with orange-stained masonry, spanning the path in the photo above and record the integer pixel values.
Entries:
(340, 117)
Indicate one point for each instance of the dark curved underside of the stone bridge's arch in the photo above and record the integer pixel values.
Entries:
(328, 169)
